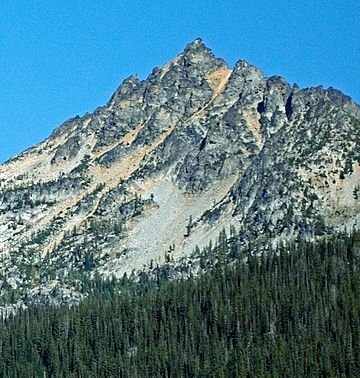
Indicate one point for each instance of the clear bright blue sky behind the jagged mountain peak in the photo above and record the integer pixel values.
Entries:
(63, 58)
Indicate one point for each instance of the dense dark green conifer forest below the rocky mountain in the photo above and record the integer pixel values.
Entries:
(293, 312)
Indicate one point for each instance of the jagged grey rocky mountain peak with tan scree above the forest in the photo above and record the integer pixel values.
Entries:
(168, 163)
